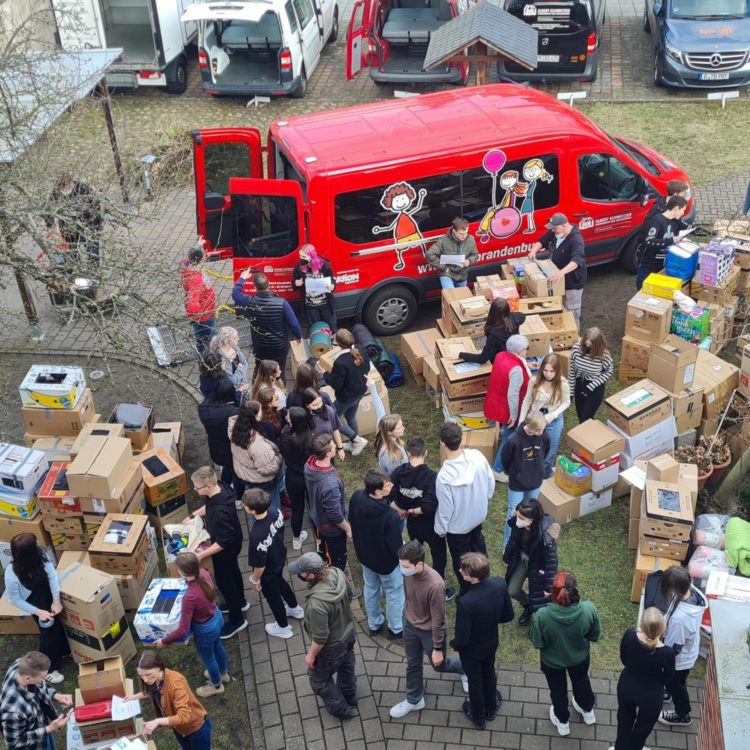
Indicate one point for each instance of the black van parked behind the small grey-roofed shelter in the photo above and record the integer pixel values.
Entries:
(569, 35)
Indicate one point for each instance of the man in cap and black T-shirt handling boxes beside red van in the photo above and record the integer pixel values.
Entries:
(564, 242)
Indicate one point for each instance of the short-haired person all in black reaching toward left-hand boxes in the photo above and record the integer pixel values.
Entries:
(223, 526)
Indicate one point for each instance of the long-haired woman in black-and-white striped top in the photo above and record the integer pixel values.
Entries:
(590, 368)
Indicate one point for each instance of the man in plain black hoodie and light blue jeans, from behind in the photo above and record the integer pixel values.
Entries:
(376, 532)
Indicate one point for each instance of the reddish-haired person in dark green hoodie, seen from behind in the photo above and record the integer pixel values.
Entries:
(563, 631)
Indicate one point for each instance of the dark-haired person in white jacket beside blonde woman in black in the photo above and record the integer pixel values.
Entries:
(685, 607)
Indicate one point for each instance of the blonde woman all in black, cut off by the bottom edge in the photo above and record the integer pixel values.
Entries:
(649, 666)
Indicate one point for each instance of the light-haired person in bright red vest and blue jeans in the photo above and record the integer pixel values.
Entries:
(509, 382)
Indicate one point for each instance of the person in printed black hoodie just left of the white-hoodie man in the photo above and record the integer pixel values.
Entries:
(413, 497)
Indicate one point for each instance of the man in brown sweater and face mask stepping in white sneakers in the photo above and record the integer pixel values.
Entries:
(425, 629)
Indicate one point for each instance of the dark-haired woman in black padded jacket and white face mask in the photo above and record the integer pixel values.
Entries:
(531, 553)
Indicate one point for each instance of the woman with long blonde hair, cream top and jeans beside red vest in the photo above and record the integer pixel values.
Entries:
(549, 394)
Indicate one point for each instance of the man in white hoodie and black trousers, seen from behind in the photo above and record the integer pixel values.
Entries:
(465, 484)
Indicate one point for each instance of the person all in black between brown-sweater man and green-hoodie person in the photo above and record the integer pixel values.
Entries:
(486, 604)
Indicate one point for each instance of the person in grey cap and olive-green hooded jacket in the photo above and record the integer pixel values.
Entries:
(329, 625)
